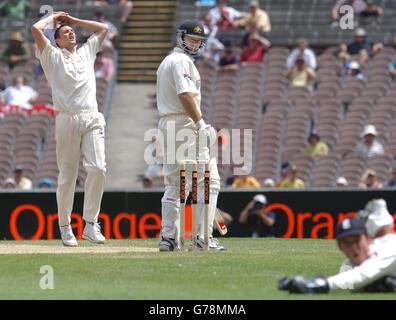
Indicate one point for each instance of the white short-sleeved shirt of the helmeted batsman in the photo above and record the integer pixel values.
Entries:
(177, 74)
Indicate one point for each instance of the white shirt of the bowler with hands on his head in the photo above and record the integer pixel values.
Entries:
(71, 75)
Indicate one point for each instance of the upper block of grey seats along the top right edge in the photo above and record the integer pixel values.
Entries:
(292, 19)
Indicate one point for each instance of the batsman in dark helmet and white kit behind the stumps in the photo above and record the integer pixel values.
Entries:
(178, 101)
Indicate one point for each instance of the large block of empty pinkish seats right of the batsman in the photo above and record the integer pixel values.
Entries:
(257, 97)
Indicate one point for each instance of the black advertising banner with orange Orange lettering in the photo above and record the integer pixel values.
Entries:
(129, 215)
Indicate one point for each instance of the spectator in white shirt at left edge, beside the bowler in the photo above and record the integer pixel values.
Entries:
(19, 94)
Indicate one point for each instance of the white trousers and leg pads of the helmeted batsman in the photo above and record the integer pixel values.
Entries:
(170, 213)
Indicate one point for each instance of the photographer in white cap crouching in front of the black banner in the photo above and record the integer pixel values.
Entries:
(261, 222)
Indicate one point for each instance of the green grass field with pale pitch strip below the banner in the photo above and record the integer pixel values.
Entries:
(248, 270)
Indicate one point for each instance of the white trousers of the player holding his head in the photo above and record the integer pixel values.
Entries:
(79, 134)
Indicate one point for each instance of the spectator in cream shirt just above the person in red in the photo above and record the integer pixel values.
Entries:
(256, 21)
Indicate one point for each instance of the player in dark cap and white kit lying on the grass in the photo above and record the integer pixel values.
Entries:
(374, 267)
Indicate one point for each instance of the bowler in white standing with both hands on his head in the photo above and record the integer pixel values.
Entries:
(79, 125)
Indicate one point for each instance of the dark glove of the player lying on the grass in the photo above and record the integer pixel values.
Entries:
(298, 284)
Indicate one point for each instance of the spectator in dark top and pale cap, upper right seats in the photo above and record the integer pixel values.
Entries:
(363, 47)
